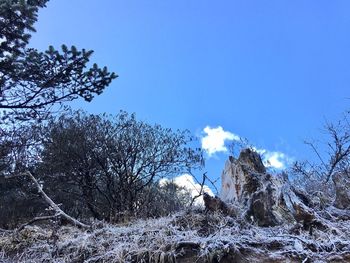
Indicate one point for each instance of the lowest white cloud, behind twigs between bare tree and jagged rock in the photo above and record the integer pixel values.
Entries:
(187, 181)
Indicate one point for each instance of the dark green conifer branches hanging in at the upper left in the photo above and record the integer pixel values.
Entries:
(32, 82)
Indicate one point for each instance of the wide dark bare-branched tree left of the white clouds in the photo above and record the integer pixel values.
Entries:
(107, 162)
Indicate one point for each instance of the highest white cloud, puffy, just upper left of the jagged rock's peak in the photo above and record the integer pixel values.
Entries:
(214, 140)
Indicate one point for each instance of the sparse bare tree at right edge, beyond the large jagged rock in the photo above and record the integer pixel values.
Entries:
(333, 162)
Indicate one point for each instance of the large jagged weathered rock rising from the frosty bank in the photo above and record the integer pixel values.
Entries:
(264, 199)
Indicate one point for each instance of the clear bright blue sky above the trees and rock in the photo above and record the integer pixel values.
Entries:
(271, 71)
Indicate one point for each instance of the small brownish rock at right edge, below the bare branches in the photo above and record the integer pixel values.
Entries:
(342, 189)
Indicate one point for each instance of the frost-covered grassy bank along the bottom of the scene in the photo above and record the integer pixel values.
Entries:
(193, 236)
